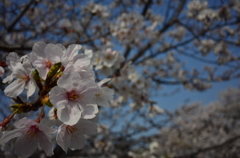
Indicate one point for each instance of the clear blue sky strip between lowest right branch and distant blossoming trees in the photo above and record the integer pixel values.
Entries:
(176, 100)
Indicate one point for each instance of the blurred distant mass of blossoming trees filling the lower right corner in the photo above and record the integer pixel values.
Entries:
(198, 130)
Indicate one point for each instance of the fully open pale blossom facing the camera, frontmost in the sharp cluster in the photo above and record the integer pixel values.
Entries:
(74, 96)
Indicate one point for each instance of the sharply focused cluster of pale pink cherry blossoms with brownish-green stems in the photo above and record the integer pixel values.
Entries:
(62, 79)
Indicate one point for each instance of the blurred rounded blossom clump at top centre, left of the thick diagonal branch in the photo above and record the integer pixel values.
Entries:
(128, 26)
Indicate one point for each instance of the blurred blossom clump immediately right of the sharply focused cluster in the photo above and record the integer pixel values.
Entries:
(127, 81)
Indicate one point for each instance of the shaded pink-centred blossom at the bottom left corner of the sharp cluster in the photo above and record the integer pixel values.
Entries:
(29, 134)
